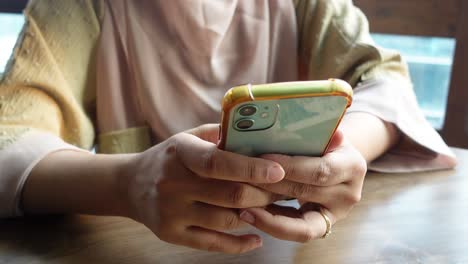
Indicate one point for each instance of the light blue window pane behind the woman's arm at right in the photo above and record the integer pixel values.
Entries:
(430, 65)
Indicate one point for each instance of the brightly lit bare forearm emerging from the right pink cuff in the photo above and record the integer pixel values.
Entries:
(370, 135)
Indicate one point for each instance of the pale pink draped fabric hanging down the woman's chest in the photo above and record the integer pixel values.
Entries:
(167, 64)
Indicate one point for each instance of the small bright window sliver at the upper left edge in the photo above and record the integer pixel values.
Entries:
(11, 25)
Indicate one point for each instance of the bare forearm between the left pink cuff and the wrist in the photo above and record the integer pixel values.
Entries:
(77, 182)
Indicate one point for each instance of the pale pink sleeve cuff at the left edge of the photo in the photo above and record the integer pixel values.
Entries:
(17, 161)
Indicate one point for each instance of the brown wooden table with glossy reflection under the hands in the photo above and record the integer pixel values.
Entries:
(402, 218)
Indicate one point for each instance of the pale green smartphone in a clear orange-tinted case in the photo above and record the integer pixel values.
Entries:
(292, 118)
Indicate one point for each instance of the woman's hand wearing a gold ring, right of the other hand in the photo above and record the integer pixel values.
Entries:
(330, 185)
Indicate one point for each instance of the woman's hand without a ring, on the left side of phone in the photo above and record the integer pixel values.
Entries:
(185, 188)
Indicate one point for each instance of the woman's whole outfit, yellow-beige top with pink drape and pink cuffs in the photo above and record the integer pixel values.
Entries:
(163, 68)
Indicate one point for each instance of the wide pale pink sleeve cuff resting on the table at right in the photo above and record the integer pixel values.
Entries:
(420, 148)
